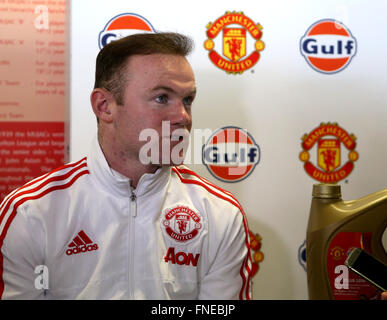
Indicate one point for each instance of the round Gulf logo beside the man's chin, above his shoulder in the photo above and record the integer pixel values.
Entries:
(231, 154)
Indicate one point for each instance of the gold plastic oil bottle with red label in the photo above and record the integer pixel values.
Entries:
(334, 228)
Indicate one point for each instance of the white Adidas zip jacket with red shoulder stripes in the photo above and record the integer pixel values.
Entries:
(176, 236)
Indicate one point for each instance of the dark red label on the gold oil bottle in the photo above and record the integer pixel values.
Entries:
(345, 284)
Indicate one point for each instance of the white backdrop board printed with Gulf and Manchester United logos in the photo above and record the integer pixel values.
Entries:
(272, 74)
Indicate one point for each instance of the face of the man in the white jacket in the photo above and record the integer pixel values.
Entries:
(159, 91)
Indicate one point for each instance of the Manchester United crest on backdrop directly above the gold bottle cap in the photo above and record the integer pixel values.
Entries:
(329, 139)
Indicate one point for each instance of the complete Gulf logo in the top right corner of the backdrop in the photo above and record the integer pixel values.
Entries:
(328, 46)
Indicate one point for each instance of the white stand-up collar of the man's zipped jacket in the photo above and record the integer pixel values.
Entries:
(119, 184)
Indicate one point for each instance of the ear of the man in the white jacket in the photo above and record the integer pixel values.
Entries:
(103, 103)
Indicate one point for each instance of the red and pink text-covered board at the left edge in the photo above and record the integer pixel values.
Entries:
(32, 90)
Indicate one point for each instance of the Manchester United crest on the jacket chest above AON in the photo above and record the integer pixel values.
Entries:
(182, 223)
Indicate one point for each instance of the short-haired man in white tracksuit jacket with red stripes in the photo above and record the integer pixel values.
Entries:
(121, 223)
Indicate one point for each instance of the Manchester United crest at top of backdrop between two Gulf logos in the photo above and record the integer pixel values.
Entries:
(237, 31)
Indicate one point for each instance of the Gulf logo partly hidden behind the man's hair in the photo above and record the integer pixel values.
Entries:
(123, 25)
